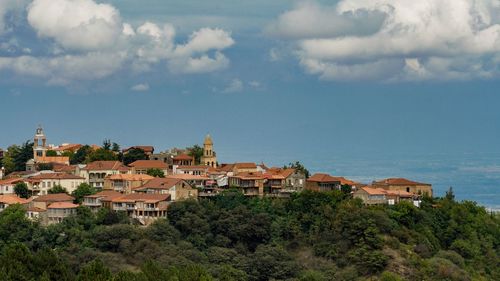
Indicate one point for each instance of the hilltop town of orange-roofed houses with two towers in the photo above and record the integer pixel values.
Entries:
(56, 180)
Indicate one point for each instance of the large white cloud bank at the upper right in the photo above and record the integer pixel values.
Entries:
(398, 40)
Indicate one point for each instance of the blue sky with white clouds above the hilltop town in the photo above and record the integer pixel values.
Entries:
(273, 81)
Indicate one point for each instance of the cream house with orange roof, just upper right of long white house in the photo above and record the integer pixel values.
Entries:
(95, 172)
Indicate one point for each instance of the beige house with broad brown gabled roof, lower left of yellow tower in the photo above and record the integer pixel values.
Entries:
(178, 189)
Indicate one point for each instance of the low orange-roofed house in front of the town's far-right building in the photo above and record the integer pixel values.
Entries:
(374, 195)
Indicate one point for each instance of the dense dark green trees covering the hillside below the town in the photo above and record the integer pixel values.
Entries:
(311, 236)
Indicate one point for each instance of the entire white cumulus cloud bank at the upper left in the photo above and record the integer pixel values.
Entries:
(89, 41)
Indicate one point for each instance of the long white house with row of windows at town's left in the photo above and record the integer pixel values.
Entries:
(41, 183)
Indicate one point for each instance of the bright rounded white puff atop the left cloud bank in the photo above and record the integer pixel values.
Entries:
(77, 24)
